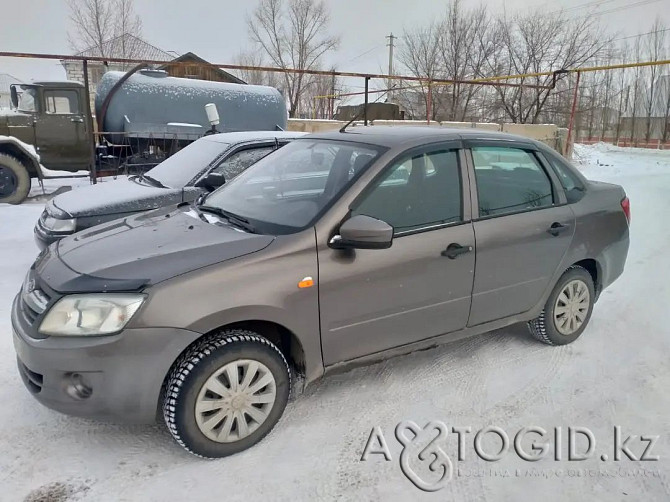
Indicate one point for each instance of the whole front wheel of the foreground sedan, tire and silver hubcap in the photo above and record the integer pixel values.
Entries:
(226, 393)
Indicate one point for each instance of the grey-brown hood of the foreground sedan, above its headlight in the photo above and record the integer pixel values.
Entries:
(130, 253)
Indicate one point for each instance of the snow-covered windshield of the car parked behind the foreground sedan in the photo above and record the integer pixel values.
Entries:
(177, 170)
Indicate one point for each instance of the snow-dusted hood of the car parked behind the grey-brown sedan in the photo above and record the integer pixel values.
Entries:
(114, 197)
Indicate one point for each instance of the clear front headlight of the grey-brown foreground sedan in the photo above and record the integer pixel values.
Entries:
(94, 314)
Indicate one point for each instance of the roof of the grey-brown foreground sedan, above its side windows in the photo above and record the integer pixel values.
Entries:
(390, 136)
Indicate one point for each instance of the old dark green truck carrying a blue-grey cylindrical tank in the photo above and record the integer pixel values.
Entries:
(141, 116)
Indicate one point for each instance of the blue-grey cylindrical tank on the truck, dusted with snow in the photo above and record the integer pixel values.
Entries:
(151, 104)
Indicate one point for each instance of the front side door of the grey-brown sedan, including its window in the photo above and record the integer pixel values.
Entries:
(373, 300)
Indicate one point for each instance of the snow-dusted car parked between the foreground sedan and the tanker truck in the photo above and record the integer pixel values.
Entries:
(180, 178)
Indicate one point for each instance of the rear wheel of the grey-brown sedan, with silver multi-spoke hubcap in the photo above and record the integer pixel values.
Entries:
(568, 309)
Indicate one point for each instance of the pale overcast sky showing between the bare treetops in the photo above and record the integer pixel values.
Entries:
(216, 29)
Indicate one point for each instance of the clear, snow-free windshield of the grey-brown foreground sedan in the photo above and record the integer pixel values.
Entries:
(284, 192)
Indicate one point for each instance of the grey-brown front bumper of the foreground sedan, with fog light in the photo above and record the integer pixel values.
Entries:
(117, 378)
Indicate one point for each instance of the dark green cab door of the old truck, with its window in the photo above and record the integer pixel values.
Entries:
(61, 132)
